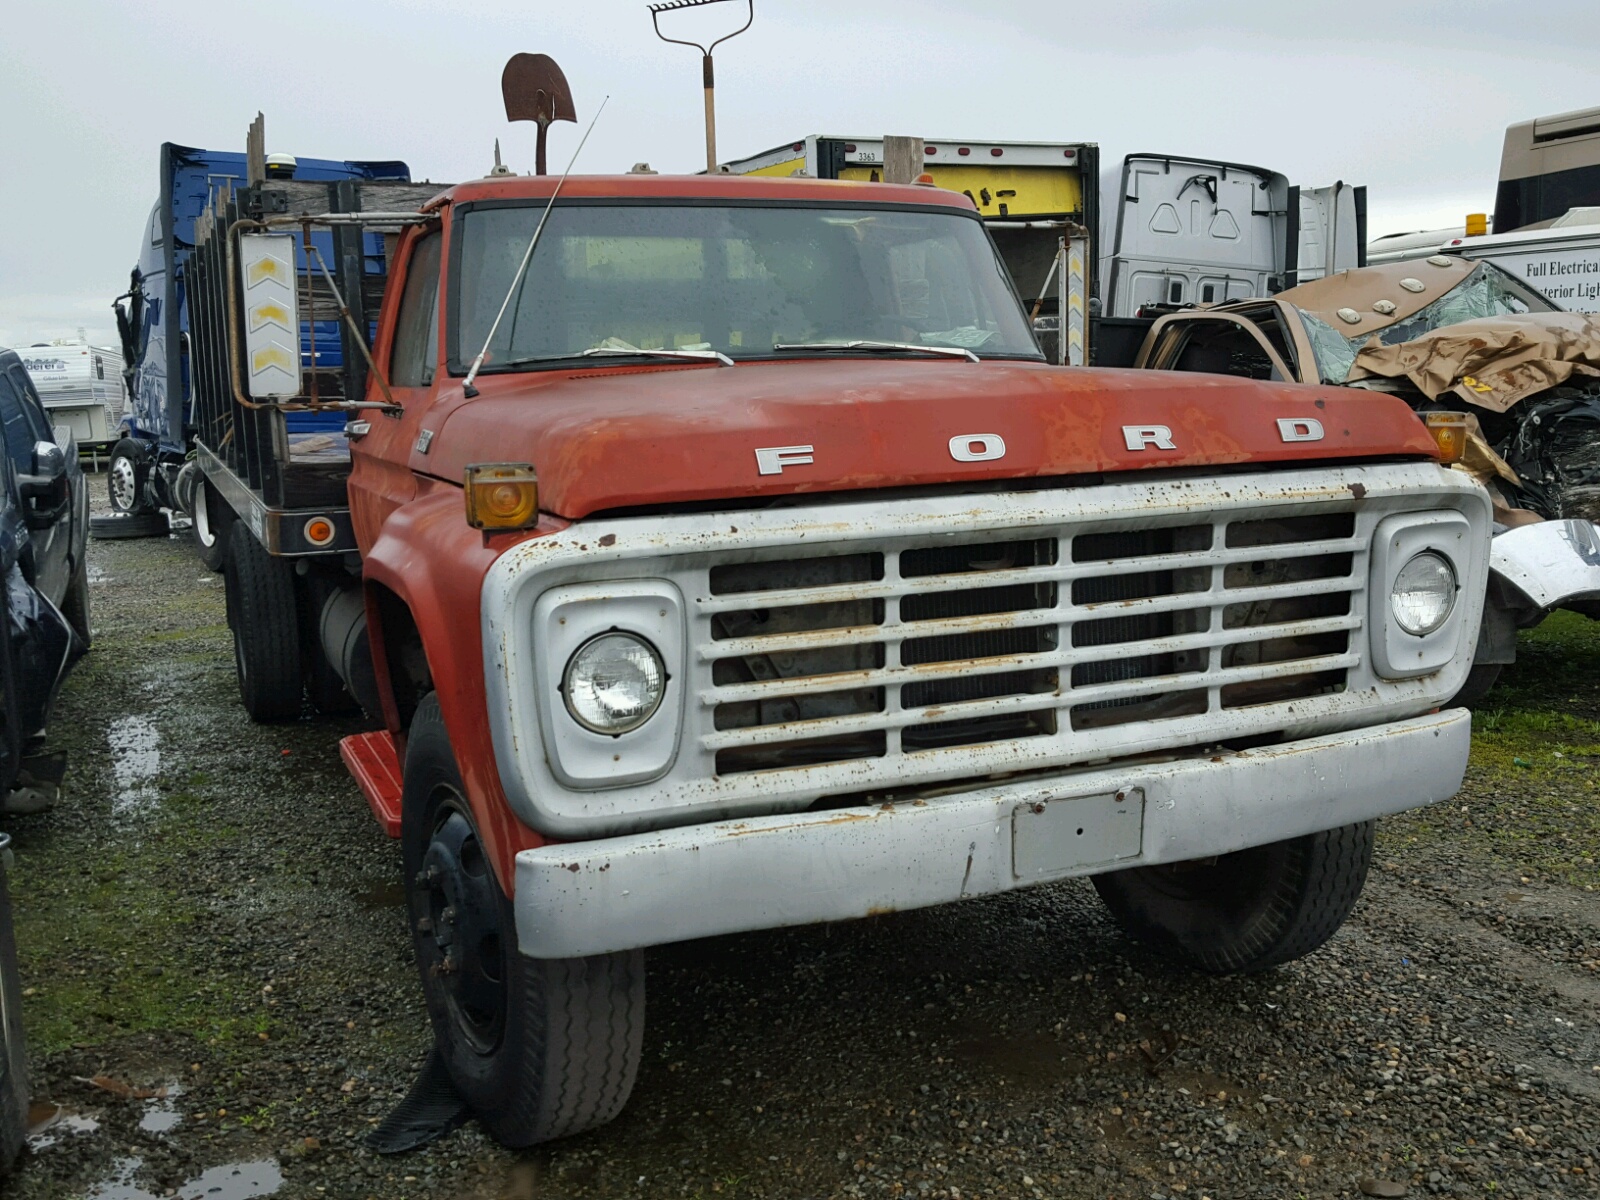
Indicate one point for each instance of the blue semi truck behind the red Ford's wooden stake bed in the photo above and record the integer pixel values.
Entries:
(153, 465)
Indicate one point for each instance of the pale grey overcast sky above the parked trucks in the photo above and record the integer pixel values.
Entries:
(1407, 97)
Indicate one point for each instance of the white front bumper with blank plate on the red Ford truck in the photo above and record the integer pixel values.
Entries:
(799, 870)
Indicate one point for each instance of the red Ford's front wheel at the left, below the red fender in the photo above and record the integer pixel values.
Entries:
(540, 1049)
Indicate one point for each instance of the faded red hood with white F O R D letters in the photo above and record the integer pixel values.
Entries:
(671, 434)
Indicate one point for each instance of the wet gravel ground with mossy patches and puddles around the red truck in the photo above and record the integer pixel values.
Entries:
(214, 913)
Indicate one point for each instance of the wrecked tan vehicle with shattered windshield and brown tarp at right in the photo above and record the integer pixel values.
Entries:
(1441, 332)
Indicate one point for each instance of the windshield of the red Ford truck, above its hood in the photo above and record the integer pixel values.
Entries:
(735, 279)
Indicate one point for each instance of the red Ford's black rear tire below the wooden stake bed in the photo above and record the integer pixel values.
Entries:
(265, 620)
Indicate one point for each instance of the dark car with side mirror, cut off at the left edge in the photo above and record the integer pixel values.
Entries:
(44, 567)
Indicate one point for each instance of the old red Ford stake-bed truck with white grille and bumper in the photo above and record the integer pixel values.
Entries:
(767, 575)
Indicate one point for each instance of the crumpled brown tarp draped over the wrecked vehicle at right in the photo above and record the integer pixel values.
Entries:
(1492, 362)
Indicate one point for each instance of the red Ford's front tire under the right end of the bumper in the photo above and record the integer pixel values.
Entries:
(1246, 911)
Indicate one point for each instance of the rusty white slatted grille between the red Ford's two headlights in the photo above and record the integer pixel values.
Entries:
(921, 649)
